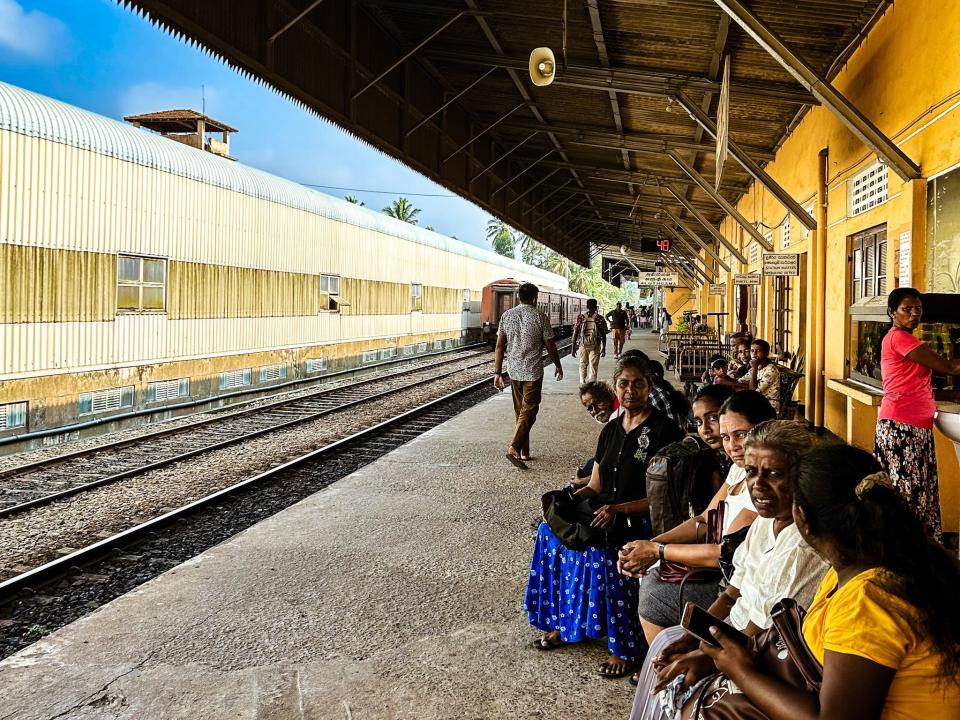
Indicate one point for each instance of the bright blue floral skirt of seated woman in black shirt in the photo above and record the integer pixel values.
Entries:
(581, 595)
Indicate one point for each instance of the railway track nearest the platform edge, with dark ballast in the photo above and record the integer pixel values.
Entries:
(61, 590)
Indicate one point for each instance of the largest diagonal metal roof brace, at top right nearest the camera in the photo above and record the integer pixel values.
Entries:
(846, 111)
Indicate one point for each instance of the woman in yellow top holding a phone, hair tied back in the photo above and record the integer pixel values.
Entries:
(885, 622)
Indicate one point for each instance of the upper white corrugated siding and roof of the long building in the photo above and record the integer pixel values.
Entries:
(120, 188)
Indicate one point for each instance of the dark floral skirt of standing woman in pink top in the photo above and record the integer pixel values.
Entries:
(907, 454)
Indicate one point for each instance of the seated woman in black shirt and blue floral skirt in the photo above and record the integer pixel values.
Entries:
(573, 595)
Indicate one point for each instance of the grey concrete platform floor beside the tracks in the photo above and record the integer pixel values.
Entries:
(395, 593)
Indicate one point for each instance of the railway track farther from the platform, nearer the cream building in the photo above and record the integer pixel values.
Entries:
(44, 481)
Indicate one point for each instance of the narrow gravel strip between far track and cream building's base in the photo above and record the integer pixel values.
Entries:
(149, 428)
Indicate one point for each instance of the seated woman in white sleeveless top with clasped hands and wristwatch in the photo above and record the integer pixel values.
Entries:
(660, 602)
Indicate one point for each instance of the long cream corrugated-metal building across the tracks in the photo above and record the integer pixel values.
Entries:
(141, 272)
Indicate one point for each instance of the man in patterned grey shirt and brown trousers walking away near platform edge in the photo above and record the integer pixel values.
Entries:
(523, 335)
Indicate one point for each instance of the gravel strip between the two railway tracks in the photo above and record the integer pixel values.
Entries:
(37, 536)
